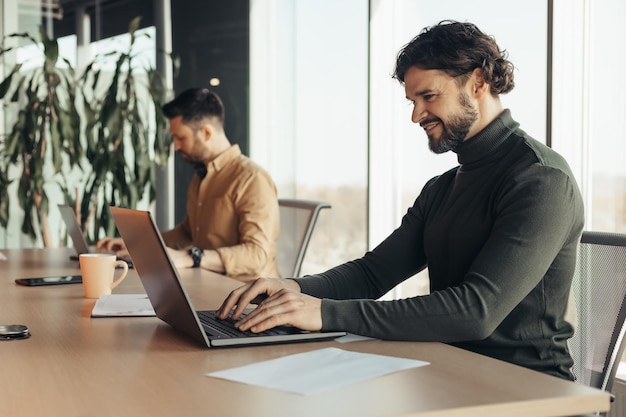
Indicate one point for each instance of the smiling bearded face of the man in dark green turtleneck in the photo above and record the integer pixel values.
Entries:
(441, 107)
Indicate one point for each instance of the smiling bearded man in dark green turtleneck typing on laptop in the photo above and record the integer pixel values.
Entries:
(498, 233)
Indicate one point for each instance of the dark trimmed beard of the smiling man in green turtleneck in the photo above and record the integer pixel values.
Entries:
(455, 129)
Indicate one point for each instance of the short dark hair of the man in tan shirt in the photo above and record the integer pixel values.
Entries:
(195, 105)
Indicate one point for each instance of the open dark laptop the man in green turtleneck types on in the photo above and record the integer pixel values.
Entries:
(169, 299)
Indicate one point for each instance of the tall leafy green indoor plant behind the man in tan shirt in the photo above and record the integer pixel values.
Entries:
(94, 136)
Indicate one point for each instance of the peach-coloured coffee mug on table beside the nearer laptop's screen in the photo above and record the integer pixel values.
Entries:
(98, 270)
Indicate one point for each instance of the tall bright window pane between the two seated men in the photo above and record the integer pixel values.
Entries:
(309, 101)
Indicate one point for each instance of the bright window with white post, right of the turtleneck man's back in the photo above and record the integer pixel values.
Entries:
(589, 105)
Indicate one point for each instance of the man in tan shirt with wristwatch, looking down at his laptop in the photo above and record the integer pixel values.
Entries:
(232, 221)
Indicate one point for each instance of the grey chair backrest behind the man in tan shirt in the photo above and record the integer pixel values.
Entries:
(297, 220)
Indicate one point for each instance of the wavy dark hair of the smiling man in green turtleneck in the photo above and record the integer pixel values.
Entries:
(457, 49)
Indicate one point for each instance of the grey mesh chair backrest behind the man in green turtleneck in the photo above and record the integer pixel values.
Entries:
(600, 292)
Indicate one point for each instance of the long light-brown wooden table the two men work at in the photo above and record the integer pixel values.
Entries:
(76, 366)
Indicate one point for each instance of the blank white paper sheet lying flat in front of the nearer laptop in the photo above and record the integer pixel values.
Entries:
(318, 370)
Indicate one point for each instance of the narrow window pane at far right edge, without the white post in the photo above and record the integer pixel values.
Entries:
(607, 125)
